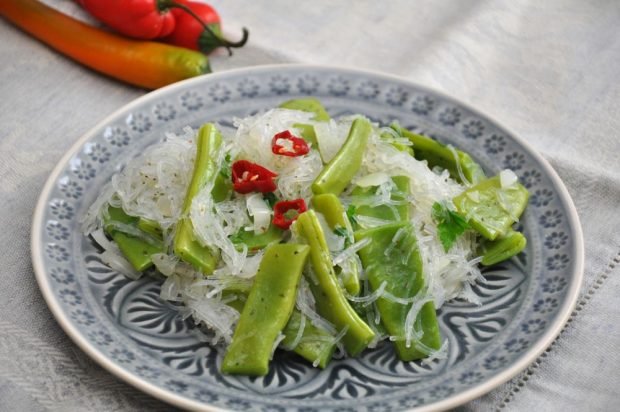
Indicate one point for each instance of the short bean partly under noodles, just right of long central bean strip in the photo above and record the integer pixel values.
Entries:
(332, 209)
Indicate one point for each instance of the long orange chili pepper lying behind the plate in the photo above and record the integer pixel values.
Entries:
(147, 64)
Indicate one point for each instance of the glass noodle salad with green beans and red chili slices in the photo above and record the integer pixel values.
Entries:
(295, 231)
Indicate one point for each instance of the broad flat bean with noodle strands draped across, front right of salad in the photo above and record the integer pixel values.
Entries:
(392, 261)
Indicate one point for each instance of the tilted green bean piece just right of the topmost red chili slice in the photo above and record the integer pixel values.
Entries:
(337, 174)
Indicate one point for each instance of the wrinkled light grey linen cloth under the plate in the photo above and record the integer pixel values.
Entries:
(548, 71)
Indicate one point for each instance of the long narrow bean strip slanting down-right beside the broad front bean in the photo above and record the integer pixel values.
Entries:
(331, 302)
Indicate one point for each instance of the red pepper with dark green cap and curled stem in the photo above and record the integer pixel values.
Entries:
(198, 28)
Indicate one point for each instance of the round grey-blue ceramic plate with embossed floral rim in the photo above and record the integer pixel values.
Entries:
(124, 325)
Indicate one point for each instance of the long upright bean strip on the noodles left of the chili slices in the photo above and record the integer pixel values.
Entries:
(205, 169)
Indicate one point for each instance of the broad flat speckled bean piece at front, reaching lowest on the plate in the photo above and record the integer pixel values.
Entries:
(267, 310)
